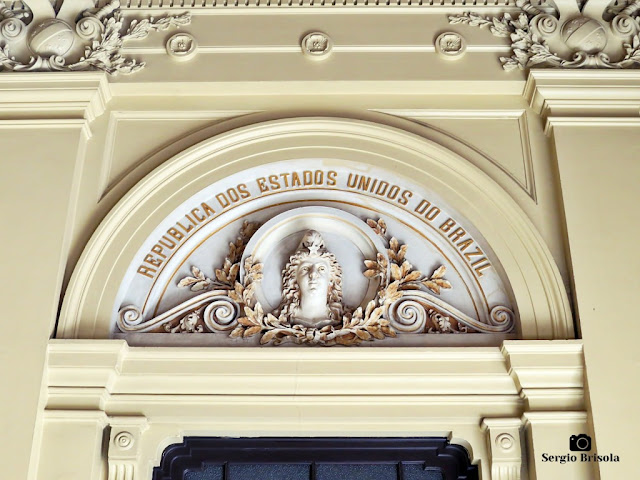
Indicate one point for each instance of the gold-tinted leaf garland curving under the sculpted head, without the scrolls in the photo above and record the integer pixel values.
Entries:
(397, 276)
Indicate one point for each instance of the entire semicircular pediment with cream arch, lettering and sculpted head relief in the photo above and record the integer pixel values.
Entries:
(414, 240)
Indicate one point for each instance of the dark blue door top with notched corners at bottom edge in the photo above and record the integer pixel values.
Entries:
(273, 458)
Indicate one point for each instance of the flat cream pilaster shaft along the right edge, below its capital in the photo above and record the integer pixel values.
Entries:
(599, 167)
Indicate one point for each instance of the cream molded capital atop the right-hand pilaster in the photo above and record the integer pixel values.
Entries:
(584, 96)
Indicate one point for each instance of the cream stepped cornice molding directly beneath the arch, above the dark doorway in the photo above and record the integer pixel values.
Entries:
(479, 372)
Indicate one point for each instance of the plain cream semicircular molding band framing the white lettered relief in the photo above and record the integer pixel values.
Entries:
(537, 288)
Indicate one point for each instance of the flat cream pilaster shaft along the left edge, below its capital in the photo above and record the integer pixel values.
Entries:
(38, 198)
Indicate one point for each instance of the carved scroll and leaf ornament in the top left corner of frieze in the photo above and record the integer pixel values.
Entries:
(76, 37)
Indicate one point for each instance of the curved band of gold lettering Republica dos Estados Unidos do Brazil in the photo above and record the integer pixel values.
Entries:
(197, 215)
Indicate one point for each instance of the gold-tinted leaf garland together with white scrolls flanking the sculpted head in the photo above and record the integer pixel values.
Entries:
(402, 303)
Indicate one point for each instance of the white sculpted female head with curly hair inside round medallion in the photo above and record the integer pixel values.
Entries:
(312, 284)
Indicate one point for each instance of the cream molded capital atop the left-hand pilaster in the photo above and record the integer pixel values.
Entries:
(59, 95)
